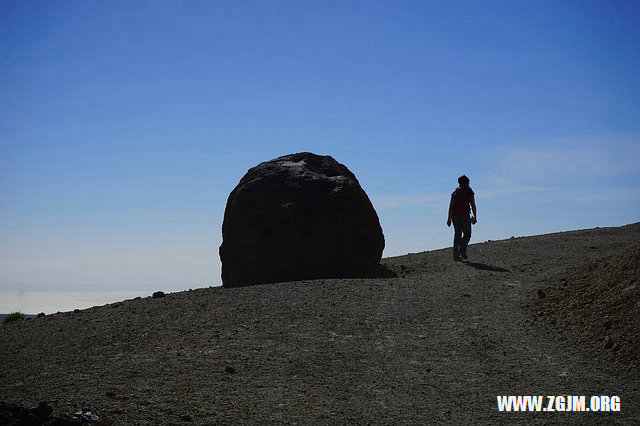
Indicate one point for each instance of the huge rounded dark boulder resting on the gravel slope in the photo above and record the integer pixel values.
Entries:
(300, 216)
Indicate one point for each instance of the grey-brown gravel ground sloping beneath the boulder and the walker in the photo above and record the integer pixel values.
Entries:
(435, 344)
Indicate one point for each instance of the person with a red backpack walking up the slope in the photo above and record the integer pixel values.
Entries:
(462, 203)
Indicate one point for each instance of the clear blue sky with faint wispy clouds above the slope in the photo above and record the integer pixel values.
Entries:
(125, 125)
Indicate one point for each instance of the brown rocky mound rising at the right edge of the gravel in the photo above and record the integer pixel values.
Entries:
(598, 305)
